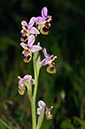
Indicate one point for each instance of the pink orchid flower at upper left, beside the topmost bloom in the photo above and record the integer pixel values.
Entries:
(28, 29)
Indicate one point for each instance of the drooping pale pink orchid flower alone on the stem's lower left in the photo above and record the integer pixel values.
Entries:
(21, 83)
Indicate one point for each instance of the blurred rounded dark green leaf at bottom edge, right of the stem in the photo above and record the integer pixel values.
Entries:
(66, 124)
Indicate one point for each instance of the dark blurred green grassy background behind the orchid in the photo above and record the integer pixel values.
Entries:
(66, 39)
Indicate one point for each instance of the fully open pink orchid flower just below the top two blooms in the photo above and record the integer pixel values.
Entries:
(29, 48)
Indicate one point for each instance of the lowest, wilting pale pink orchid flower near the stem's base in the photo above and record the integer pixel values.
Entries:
(41, 104)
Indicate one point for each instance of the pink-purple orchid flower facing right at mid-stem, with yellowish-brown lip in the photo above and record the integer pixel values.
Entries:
(49, 60)
